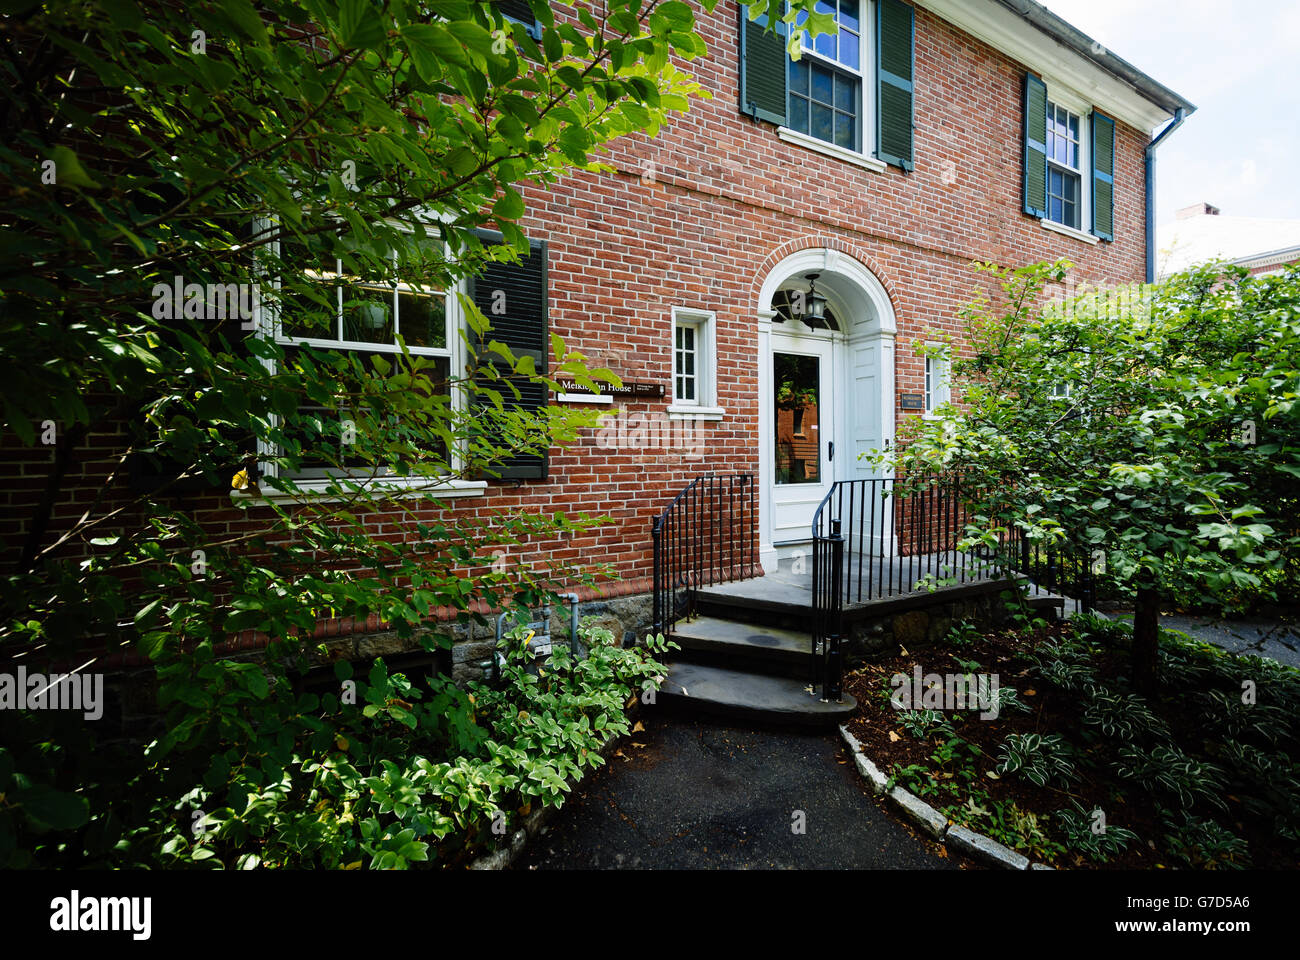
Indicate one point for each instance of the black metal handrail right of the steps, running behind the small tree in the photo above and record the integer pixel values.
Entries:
(882, 538)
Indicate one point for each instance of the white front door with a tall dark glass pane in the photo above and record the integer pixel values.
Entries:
(801, 433)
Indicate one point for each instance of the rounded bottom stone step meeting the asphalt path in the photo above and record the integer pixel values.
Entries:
(779, 700)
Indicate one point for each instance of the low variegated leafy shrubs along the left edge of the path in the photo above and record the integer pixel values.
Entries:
(400, 777)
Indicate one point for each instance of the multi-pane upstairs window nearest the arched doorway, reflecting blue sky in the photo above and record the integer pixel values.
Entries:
(826, 83)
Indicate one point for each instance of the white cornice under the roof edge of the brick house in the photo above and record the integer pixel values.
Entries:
(1056, 63)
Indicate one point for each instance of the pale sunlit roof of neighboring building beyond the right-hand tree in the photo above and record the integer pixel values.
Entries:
(1202, 233)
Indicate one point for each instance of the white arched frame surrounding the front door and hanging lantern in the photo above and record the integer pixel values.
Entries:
(859, 299)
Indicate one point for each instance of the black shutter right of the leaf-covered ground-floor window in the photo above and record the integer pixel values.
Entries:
(523, 328)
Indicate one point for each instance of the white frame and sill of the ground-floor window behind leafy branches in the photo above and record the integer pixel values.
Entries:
(268, 325)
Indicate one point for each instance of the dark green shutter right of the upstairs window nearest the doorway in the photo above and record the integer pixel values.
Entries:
(896, 67)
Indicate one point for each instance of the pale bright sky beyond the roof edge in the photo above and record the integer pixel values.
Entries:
(1240, 63)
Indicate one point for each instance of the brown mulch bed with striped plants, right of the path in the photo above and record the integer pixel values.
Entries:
(1054, 712)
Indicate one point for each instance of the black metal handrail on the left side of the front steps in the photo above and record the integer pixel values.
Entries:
(705, 537)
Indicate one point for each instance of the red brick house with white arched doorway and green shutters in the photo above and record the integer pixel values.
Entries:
(877, 168)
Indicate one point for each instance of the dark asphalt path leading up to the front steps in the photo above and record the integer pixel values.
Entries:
(705, 797)
